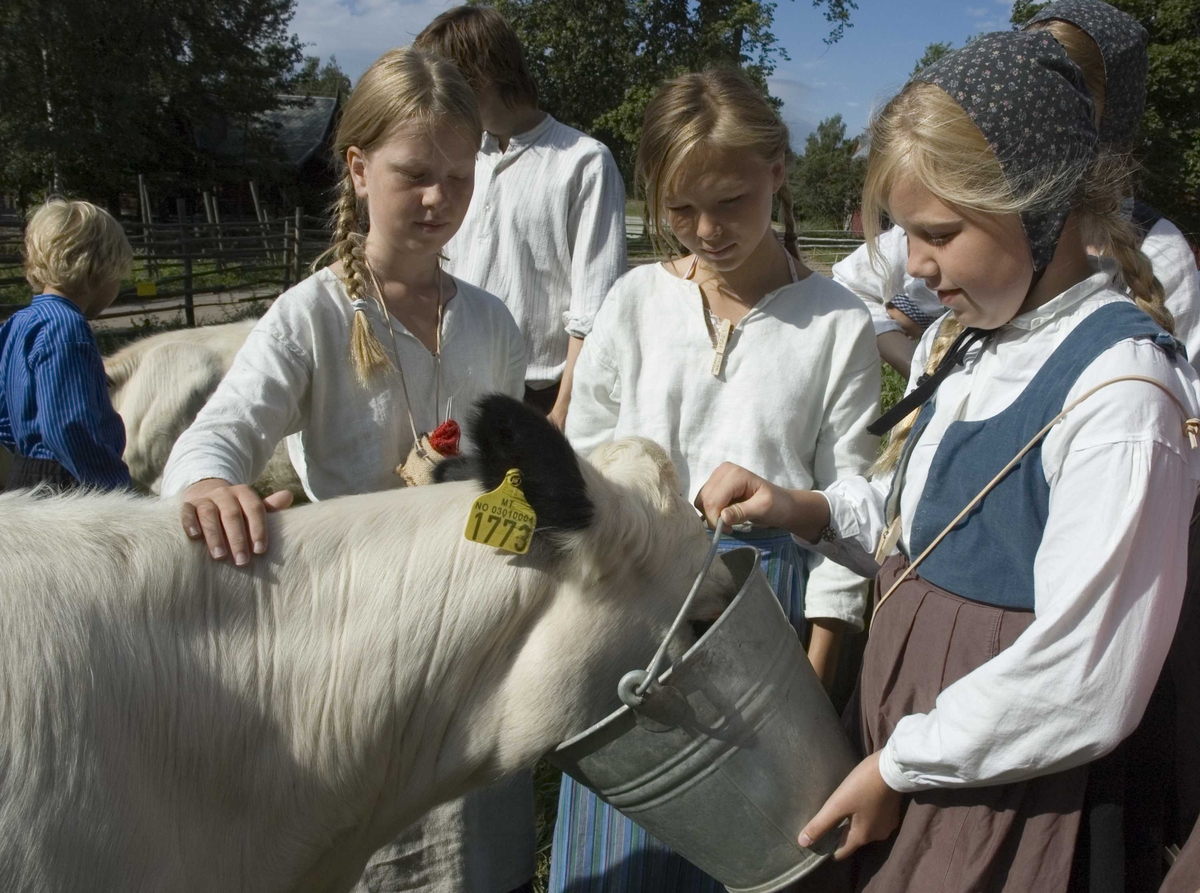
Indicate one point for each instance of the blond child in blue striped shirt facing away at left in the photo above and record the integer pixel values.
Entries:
(56, 416)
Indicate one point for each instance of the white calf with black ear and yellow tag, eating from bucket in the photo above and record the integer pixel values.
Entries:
(170, 723)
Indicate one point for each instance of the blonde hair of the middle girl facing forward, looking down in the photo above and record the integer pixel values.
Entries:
(695, 113)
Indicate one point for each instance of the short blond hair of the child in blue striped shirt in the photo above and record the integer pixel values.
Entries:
(75, 248)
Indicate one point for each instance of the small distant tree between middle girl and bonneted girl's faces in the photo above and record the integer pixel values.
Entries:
(827, 181)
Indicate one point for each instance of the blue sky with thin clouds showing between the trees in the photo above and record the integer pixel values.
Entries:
(860, 73)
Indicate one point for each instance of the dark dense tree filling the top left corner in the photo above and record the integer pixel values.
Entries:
(95, 92)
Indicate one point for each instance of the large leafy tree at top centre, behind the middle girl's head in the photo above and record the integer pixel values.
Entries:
(598, 63)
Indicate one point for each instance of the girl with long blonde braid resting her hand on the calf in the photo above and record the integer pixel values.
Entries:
(355, 367)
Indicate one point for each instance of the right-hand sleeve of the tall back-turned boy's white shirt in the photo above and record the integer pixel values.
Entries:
(597, 230)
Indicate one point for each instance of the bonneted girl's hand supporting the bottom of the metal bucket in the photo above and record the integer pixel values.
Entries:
(873, 810)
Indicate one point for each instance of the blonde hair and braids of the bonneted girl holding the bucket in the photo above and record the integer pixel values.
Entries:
(925, 136)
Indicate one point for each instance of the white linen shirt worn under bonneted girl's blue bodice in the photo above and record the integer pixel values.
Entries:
(1109, 573)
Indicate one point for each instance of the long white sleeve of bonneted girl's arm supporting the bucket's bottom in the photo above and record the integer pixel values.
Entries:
(1109, 582)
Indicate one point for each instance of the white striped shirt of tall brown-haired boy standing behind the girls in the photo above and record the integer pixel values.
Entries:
(547, 232)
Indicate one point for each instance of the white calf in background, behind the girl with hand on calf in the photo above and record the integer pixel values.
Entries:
(160, 383)
